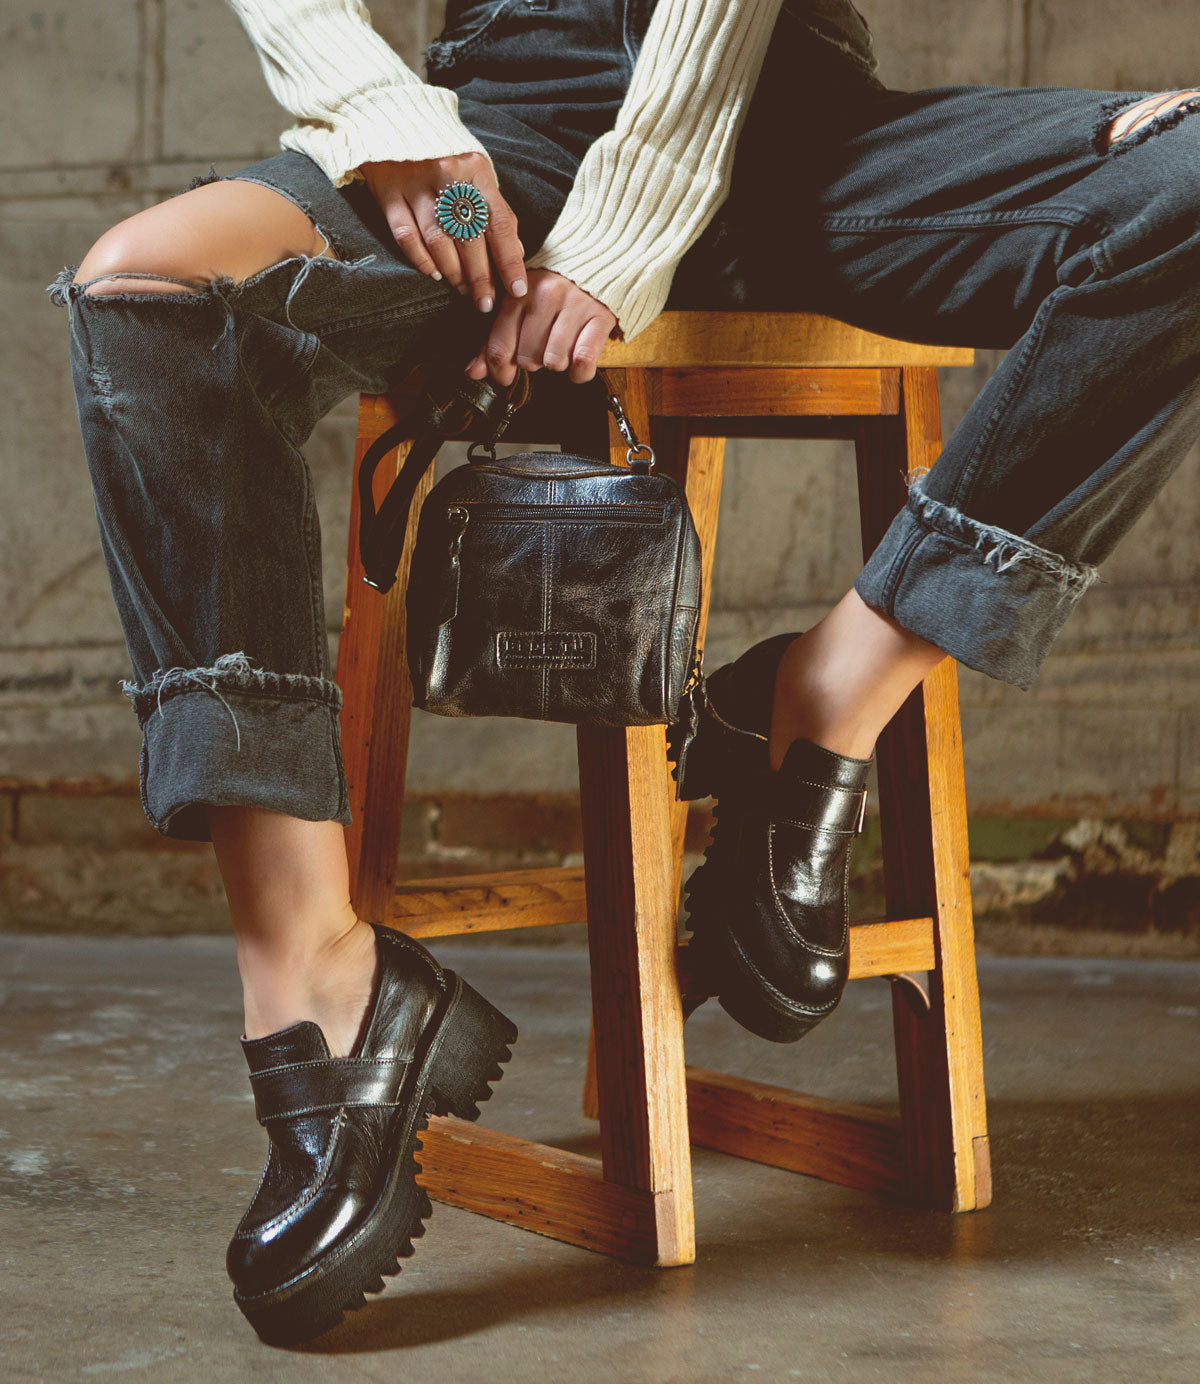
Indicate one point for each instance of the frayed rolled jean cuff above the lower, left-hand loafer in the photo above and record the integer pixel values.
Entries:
(232, 736)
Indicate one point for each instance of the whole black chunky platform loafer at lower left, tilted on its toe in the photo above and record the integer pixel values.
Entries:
(338, 1205)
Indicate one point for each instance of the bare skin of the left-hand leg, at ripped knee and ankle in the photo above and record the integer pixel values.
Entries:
(302, 951)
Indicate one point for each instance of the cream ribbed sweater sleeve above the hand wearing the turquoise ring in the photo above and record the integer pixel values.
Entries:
(355, 100)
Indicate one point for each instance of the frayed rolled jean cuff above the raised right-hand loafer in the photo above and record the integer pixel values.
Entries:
(986, 597)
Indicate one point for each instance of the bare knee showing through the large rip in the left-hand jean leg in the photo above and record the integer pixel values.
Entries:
(228, 229)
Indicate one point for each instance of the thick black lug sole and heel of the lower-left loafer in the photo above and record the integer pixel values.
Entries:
(463, 1057)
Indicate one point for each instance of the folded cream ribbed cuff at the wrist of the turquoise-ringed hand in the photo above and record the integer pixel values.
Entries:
(395, 122)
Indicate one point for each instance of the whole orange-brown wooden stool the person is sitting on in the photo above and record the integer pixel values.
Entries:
(690, 383)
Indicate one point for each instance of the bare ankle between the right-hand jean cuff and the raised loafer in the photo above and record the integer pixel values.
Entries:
(842, 682)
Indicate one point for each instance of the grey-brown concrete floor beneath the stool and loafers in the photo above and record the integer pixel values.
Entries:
(129, 1149)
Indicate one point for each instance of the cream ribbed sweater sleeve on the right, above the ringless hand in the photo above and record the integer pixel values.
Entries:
(648, 189)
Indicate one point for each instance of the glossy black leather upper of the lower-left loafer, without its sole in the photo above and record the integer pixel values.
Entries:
(327, 1165)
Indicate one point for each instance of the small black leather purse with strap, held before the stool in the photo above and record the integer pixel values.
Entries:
(546, 586)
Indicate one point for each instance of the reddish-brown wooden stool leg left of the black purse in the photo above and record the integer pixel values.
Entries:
(377, 695)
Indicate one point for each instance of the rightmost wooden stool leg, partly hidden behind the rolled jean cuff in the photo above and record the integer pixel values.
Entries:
(939, 1048)
